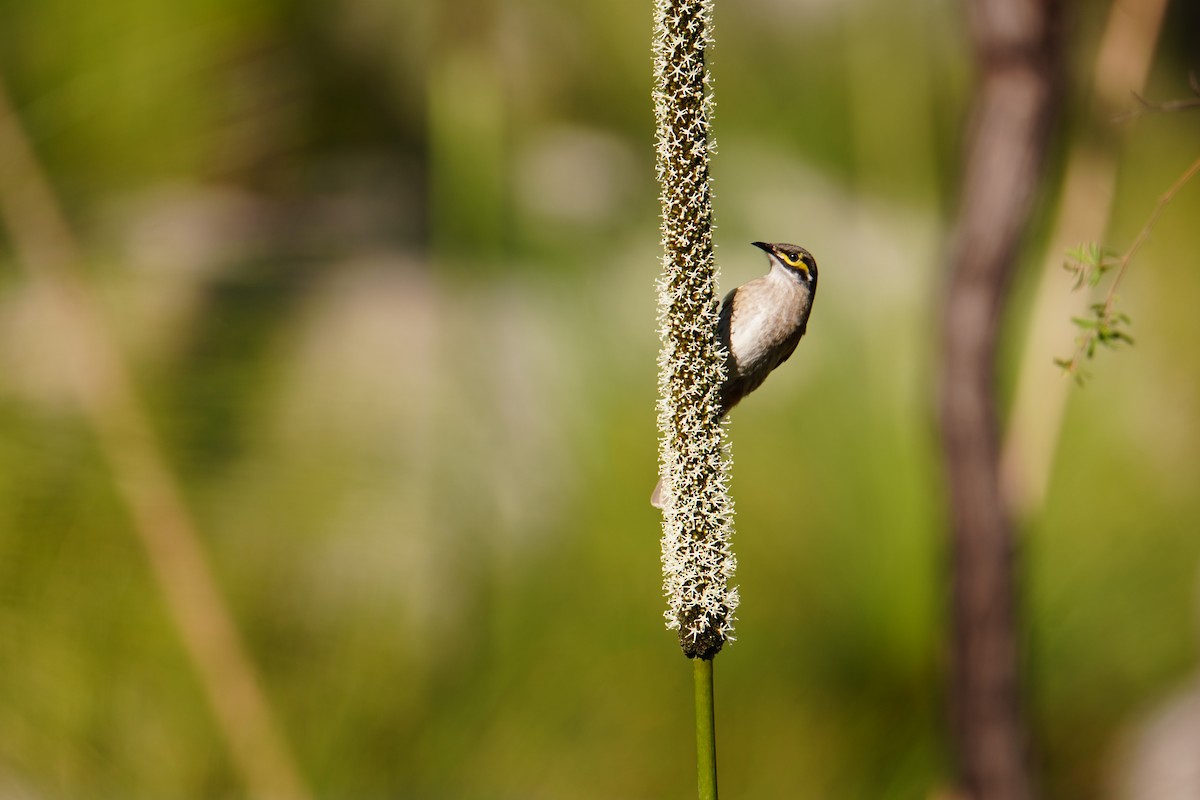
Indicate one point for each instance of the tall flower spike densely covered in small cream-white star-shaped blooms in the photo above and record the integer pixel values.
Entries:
(698, 524)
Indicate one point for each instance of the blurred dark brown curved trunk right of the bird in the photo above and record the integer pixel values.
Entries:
(1017, 46)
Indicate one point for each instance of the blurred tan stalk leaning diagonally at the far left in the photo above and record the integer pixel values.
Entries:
(101, 383)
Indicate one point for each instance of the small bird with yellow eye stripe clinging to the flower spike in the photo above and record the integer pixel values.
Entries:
(761, 323)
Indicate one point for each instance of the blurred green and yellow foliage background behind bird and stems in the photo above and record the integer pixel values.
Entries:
(385, 273)
